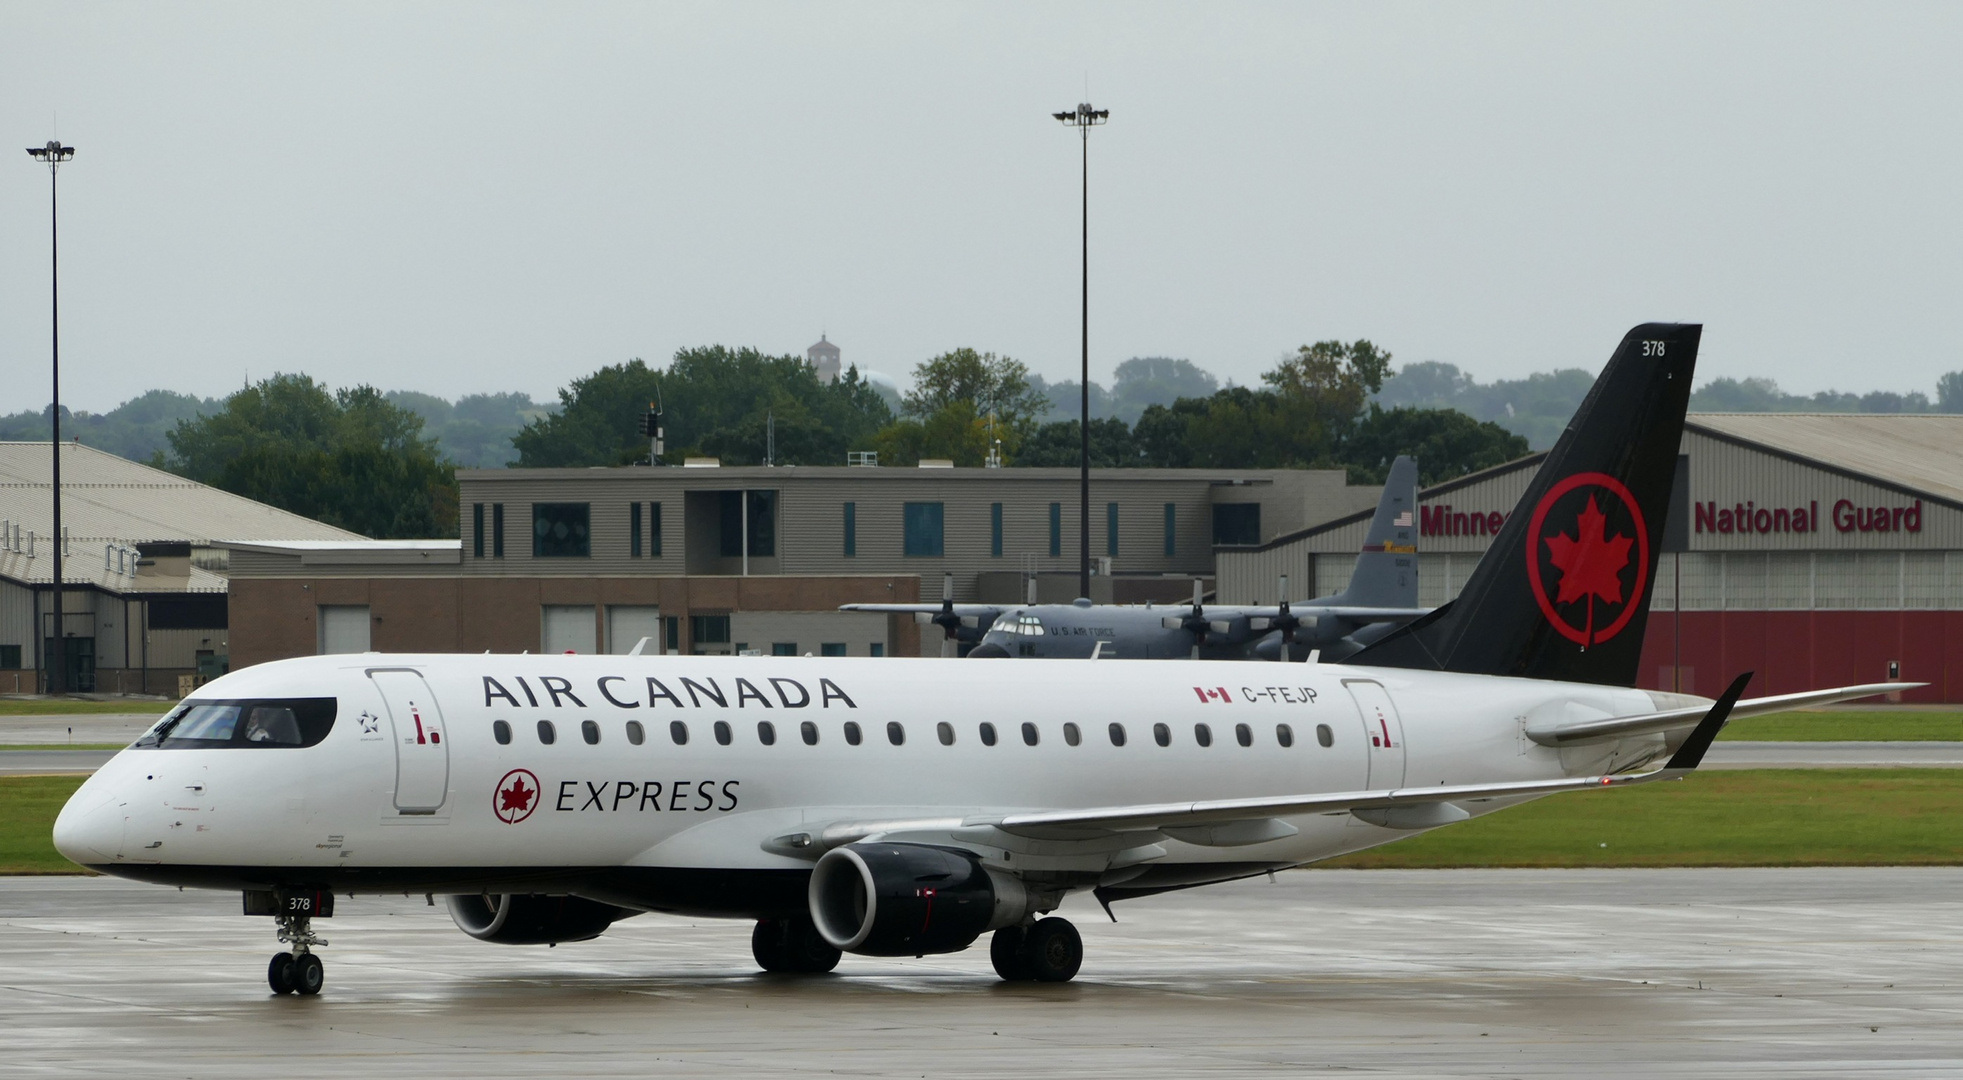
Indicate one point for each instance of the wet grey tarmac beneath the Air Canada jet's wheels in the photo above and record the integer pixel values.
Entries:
(1387, 973)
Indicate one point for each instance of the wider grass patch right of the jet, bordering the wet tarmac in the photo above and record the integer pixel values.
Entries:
(1748, 818)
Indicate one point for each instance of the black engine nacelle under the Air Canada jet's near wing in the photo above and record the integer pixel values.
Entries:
(910, 900)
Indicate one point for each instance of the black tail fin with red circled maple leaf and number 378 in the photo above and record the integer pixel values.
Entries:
(1564, 592)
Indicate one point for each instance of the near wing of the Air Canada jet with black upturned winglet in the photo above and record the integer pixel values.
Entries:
(1247, 822)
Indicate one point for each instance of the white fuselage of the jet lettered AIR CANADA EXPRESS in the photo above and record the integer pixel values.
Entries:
(413, 790)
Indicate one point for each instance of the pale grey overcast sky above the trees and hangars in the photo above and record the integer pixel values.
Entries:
(502, 197)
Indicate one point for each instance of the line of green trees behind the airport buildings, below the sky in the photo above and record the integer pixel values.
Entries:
(384, 464)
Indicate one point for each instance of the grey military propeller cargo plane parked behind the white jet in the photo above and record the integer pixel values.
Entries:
(1381, 596)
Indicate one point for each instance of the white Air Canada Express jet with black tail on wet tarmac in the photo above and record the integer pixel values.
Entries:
(900, 808)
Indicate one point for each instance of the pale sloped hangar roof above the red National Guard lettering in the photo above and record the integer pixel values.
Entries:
(1919, 451)
